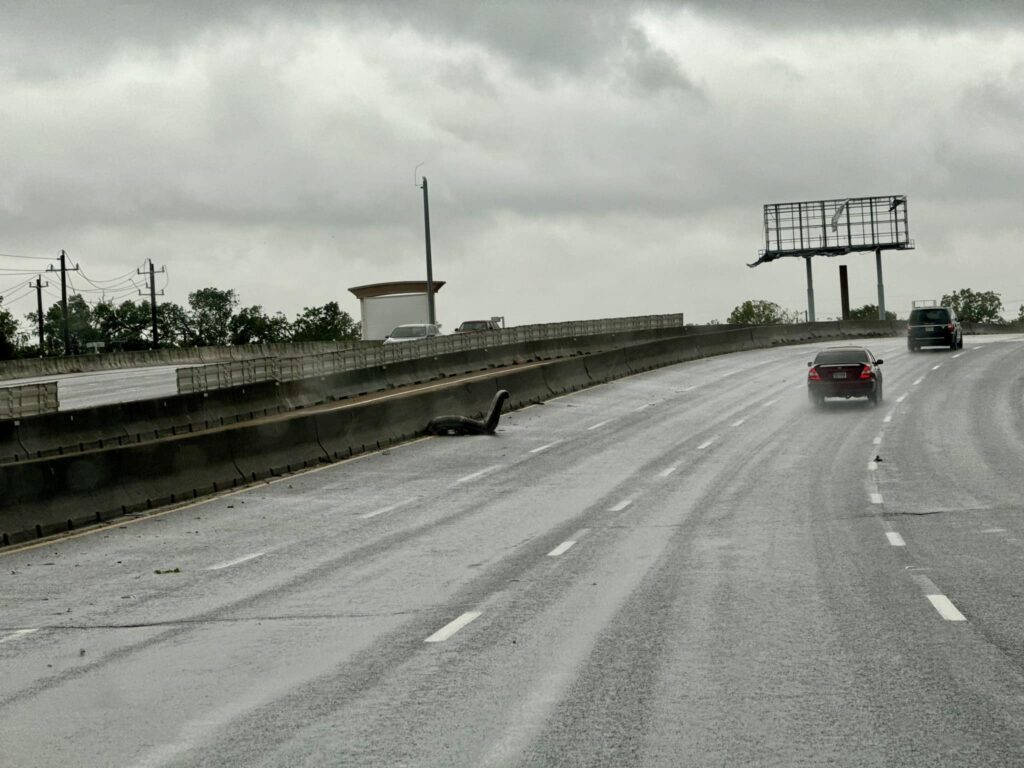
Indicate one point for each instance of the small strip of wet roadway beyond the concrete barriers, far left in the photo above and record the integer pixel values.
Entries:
(103, 388)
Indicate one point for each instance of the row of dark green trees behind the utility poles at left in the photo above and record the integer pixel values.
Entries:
(212, 318)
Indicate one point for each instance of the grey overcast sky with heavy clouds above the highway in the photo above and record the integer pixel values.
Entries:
(585, 159)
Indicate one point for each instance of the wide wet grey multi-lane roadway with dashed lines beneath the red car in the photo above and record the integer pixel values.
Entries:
(687, 568)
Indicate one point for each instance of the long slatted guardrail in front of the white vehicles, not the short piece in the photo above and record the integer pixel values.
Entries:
(222, 375)
